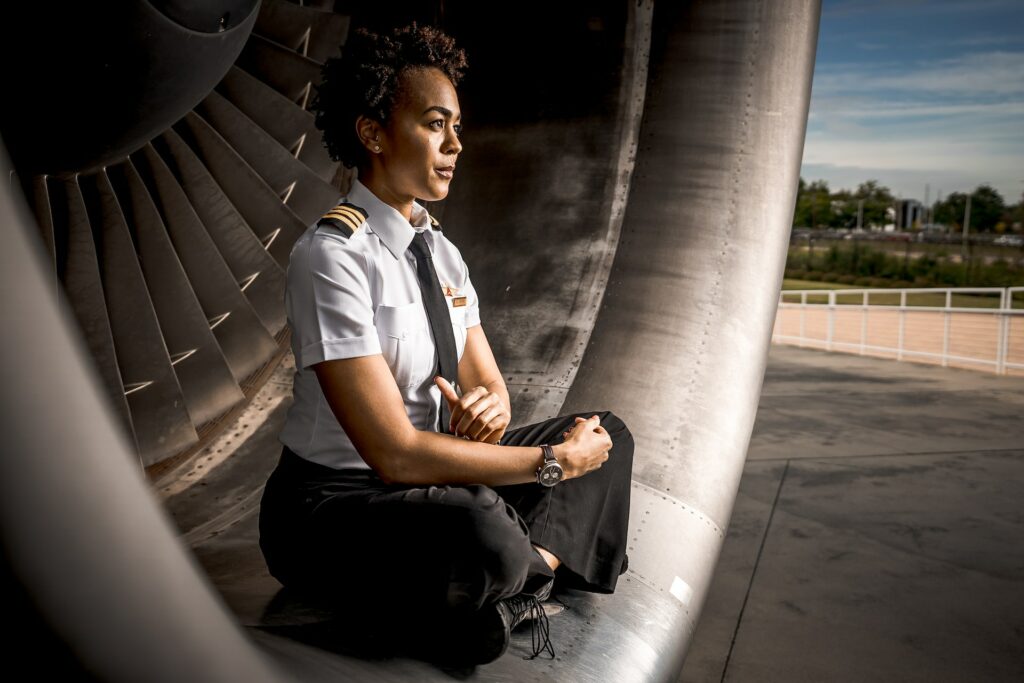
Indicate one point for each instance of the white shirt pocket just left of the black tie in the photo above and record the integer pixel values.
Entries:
(405, 343)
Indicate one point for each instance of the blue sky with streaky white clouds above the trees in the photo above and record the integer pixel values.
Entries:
(919, 92)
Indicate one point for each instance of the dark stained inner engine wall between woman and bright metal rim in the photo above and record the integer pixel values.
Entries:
(537, 207)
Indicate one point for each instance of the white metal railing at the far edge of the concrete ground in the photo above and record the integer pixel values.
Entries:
(978, 328)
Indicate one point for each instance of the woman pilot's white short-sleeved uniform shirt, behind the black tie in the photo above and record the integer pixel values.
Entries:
(359, 295)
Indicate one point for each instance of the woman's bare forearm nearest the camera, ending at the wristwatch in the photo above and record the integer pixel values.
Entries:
(432, 458)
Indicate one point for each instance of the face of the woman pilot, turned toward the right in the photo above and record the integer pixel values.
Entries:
(420, 143)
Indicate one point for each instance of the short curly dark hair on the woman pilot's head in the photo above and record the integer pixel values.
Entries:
(367, 80)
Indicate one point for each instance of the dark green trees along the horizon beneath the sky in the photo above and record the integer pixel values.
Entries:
(819, 207)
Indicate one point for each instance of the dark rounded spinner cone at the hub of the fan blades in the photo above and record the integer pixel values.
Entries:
(88, 84)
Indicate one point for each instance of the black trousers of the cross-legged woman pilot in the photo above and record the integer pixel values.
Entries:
(348, 536)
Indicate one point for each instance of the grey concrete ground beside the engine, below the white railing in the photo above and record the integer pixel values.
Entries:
(879, 532)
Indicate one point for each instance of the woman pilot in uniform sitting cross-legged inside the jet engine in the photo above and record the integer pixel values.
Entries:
(401, 492)
